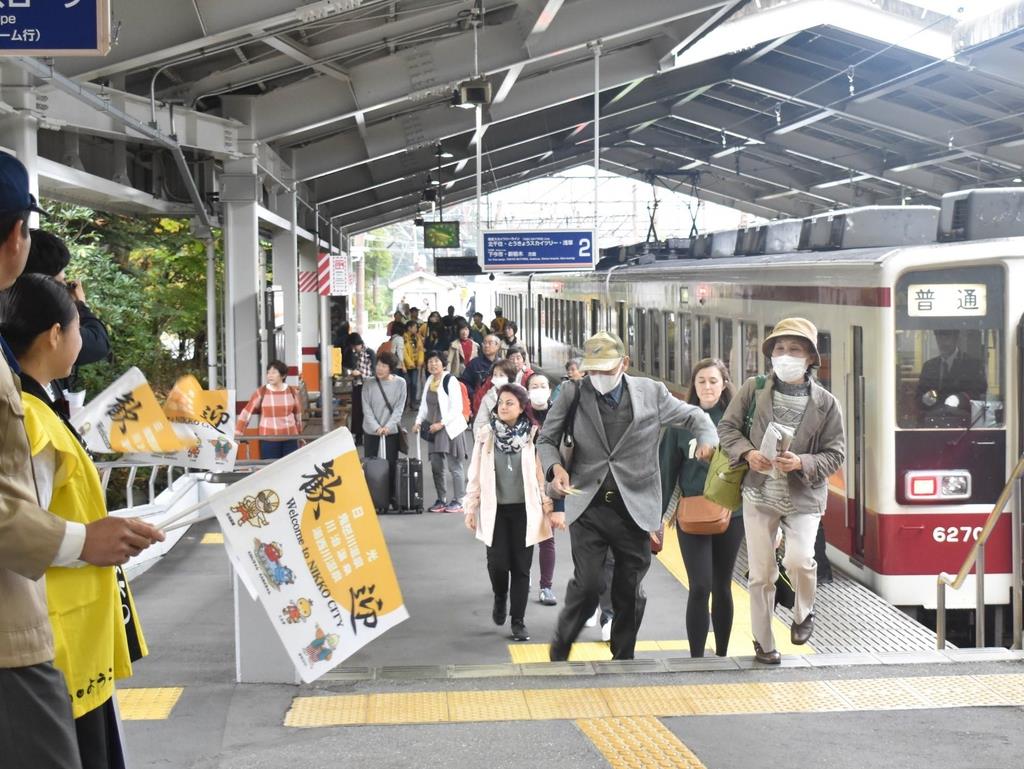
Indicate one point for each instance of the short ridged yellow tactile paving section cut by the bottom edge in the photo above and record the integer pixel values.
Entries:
(642, 743)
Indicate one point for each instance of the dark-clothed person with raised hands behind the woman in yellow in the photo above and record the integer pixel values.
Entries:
(50, 257)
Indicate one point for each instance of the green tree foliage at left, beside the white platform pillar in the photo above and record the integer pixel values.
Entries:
(146, 279)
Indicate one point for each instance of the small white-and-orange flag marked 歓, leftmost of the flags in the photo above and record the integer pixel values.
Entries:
(126, 419)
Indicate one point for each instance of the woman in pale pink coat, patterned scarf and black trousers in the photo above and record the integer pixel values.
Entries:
(506, 505)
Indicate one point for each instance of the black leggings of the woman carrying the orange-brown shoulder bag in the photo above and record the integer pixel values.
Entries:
(710, 560)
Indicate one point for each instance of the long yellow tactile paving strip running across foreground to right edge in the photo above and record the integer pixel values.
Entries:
(685, 700)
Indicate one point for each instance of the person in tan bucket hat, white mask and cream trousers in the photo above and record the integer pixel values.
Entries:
(790, 490)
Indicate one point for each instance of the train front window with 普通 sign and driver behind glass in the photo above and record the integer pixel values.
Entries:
(950, 359)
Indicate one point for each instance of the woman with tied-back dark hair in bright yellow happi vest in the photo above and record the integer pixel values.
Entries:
(40, 323)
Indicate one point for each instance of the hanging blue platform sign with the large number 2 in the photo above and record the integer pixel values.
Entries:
(540, 250)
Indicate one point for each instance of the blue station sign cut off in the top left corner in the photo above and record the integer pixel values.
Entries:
(55, 28)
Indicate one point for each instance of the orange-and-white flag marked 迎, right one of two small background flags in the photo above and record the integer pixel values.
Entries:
(206, 415)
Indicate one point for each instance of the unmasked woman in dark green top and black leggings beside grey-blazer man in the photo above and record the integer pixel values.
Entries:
(709, 558)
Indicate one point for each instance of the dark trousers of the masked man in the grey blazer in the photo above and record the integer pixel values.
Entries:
(599, 530)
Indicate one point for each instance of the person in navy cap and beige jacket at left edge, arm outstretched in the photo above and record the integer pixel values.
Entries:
(37, 729)
